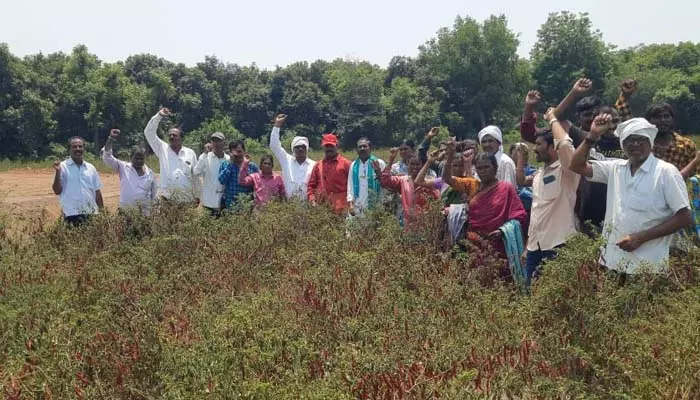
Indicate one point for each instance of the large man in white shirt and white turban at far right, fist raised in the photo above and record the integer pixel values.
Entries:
(647, 199)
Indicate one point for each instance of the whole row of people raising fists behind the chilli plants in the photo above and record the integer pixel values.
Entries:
(607, 174)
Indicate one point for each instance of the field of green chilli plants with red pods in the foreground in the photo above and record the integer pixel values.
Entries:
(283, 304)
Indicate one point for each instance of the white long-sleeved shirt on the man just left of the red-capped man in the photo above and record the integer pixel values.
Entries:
(296, 176)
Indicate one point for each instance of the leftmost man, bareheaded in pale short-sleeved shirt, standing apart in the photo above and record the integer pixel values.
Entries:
(78, 184)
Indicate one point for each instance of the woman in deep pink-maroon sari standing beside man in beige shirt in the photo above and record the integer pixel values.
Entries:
(492, 206)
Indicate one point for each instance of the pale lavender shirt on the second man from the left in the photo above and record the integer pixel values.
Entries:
(134, 190)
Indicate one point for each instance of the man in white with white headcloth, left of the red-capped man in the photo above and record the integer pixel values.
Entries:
(296, 169)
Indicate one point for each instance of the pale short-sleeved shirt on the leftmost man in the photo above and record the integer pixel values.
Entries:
(79, 185)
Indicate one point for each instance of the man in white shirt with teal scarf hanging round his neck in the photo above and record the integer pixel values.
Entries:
(364, 190)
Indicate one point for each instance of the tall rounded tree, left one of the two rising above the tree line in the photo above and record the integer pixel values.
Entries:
(474, 70)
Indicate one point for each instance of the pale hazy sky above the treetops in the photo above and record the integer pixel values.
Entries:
(276, 32)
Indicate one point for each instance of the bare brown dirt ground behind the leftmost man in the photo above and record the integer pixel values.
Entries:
(28, 192)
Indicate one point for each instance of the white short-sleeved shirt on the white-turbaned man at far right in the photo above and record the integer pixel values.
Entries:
(636, 203)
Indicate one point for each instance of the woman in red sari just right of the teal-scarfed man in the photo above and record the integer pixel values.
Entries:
(415, 199)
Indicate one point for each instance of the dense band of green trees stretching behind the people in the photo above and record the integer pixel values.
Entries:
(467, 76)
